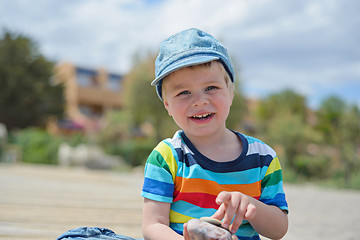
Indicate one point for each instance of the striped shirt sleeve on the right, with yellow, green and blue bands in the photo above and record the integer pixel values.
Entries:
(272, 192)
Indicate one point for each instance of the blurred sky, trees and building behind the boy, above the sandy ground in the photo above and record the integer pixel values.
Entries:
(75, 77)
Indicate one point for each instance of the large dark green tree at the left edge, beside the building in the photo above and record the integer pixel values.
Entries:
(27, 96)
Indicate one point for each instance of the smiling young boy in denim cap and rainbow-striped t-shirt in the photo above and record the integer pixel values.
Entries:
(207, 169)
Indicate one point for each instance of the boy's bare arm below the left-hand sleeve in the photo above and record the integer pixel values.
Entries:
(156, 221)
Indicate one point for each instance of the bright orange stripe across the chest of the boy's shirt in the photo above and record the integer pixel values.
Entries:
(205, 186)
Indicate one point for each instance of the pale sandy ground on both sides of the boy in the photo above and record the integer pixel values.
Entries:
(42, 202)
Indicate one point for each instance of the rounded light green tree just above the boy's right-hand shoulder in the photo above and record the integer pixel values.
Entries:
(282, 118)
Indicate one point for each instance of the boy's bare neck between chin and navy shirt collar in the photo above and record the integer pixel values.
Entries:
(224, 147)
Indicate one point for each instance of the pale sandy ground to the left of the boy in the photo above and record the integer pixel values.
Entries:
(41, 202)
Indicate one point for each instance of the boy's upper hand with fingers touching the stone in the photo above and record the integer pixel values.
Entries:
(234, 204)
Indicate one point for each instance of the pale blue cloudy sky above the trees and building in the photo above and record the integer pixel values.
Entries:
(309, 46)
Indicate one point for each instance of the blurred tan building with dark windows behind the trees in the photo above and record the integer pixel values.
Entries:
(89, 95)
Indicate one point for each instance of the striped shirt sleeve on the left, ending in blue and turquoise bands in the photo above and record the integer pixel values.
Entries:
(158, 177)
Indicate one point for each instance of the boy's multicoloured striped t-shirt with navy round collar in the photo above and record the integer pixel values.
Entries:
(177, 173)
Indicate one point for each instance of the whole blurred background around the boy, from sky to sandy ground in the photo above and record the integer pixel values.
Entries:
(75, 94)
